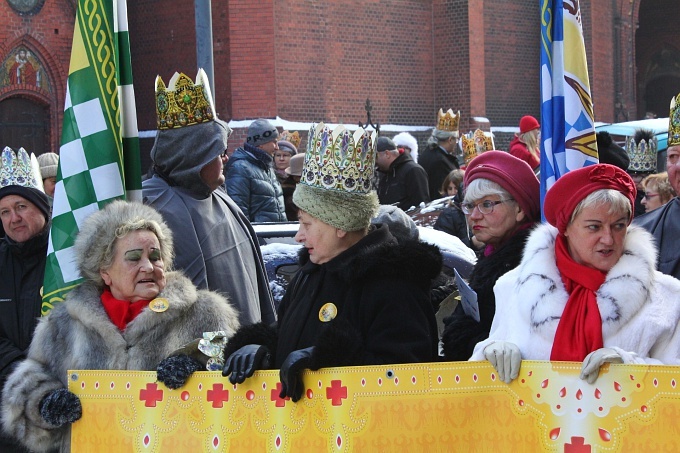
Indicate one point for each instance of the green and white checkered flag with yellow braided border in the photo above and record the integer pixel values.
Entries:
(99, 154)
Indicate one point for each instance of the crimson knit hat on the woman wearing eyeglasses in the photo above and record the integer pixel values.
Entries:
(513, 175)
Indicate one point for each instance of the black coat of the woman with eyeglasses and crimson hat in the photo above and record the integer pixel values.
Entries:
(461, 332)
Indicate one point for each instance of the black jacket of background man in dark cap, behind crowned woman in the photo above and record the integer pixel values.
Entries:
(404, 183)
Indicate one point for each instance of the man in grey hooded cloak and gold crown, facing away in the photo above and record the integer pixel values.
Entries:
(218, 249)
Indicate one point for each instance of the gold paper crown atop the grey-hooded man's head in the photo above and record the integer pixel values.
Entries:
(183, 103)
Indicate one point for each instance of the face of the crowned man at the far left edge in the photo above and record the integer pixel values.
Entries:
(21, 219)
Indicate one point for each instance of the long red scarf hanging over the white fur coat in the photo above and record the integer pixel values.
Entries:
(579, 331)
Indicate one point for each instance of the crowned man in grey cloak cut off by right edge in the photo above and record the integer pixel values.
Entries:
(664, 222)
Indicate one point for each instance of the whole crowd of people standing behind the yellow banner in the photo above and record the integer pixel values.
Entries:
(598, 283)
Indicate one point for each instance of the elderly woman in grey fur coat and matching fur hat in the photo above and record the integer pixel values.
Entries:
(128, 314)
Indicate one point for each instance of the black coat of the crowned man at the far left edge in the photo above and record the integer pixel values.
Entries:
(22, 268)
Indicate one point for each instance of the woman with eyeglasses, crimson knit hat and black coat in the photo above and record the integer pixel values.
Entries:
(502, 205)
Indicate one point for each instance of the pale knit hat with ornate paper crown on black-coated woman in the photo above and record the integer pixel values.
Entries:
(335, 186)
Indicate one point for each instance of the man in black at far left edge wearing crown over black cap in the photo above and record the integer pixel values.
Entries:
(25, 215)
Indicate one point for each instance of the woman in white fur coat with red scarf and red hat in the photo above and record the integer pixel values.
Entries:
(587, 289)
